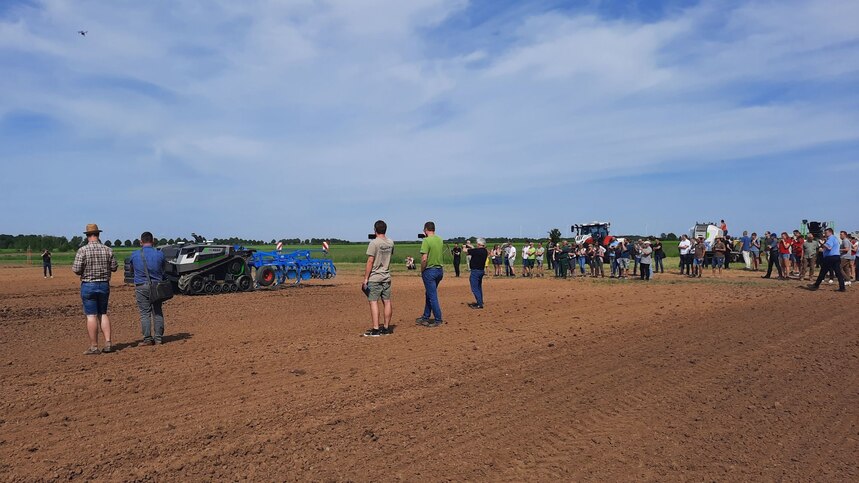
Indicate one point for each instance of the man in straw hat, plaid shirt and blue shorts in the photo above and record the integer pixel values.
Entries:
(93, 263)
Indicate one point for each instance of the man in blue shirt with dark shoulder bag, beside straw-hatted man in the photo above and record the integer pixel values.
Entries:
(150, 312)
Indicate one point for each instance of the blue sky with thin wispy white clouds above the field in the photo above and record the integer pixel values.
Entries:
(270, 119)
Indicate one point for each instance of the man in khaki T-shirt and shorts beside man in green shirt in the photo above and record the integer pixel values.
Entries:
(377, 279)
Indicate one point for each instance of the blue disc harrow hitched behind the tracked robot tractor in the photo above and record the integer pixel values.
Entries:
(276, 268)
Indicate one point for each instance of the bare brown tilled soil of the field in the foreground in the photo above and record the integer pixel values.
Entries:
(735, 379)
